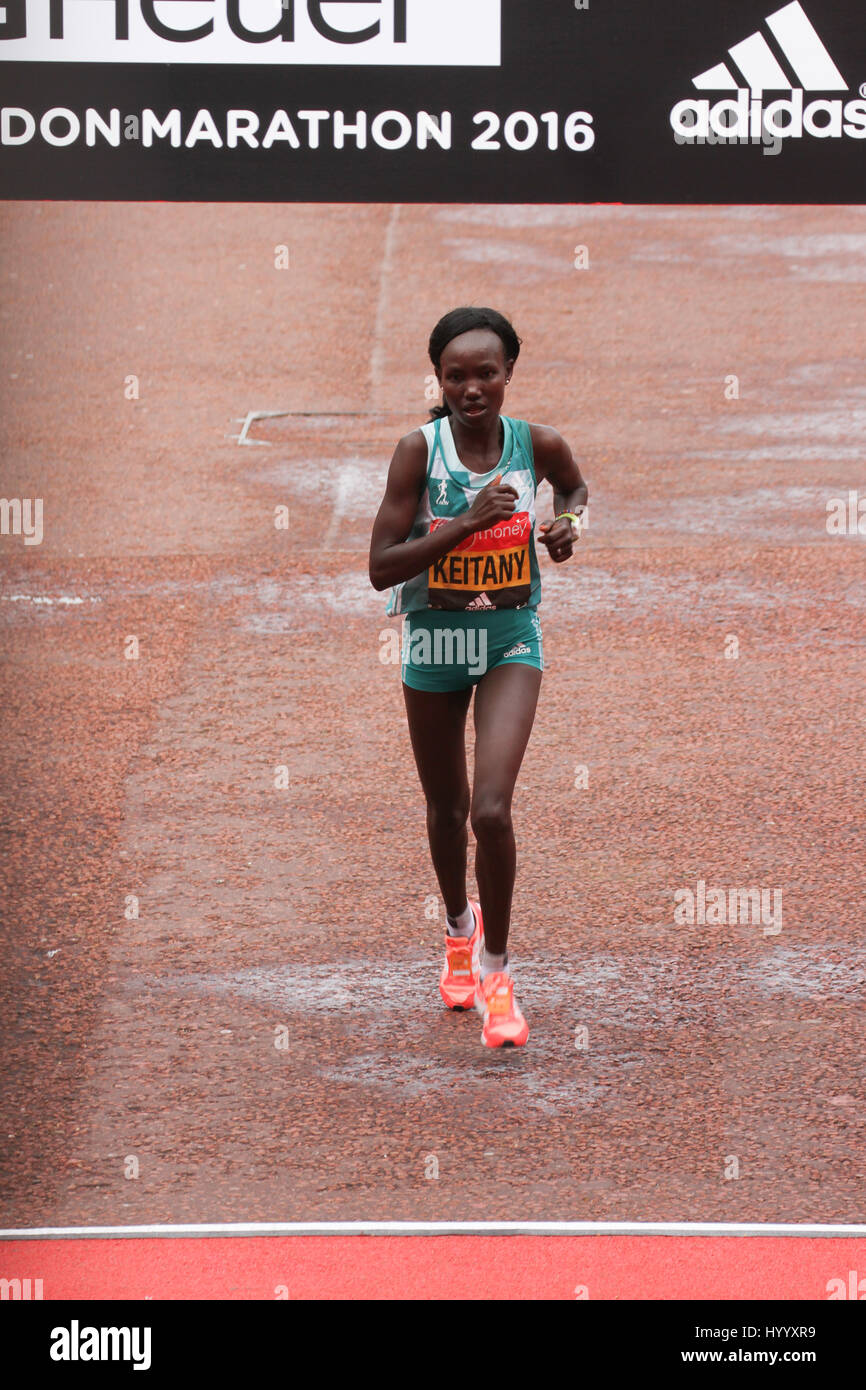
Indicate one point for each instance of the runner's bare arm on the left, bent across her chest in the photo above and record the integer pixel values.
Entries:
(395, 559)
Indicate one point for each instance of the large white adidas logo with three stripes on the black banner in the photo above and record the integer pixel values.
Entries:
(755, 69)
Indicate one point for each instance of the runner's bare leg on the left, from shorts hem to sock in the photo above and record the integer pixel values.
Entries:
(437, 728)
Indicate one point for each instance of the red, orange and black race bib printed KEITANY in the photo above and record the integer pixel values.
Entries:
(490, 569)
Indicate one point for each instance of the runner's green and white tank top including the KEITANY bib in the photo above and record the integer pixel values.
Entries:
(491, 569)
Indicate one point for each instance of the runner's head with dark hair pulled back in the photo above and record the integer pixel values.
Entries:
(475, 352)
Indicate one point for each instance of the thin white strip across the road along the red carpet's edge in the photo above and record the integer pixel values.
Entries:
(440, 1228)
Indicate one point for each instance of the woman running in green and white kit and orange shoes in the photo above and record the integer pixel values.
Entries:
(454, 540)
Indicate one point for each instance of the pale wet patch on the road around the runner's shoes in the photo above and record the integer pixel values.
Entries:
(395, 1010)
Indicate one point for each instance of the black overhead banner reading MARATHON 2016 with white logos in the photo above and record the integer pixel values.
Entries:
(426, 101)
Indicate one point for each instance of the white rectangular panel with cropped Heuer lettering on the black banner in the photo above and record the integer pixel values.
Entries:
(297, 33)
